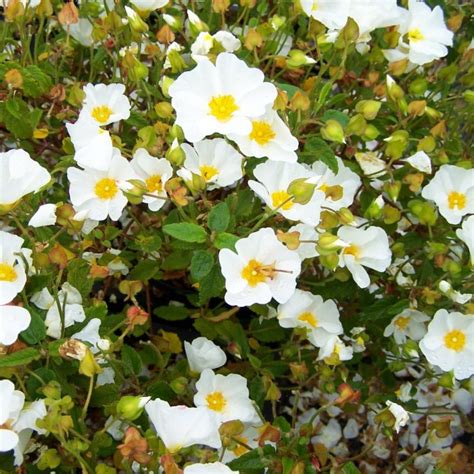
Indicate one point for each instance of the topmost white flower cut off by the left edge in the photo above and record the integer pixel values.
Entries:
(19, 176)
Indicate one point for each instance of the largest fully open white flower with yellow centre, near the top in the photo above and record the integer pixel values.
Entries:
(210, 99)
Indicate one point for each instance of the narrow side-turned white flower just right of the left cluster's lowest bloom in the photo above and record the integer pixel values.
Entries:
(154, 172)
